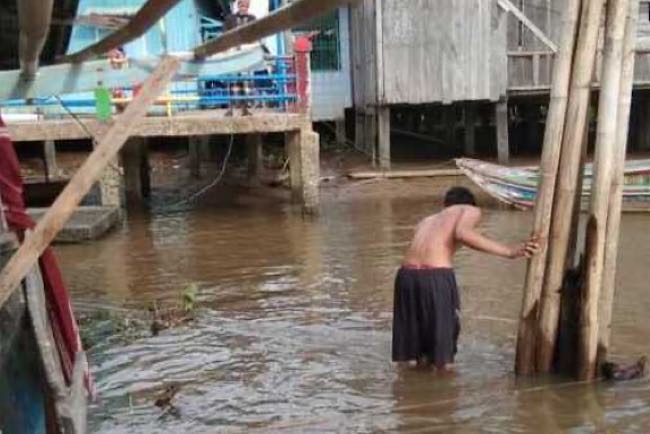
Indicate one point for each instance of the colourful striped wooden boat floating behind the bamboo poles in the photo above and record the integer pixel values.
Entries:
(517, 186)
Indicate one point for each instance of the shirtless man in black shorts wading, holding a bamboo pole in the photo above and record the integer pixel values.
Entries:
(426, 304)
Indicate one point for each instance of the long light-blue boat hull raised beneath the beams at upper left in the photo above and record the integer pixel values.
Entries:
(70, 78)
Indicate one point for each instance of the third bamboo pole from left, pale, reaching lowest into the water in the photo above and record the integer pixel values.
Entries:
(603, 174)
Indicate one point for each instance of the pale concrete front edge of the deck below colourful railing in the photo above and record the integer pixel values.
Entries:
(201, 123)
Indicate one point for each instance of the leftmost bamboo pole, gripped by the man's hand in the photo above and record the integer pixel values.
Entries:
(525, 360)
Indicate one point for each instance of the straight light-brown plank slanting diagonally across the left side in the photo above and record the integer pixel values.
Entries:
(55, 217)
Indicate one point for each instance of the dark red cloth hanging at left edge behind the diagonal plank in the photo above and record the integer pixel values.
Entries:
(64, 325)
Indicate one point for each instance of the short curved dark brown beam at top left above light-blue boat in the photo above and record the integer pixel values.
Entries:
(147, 16)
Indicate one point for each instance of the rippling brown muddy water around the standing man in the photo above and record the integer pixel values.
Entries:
(293, 329)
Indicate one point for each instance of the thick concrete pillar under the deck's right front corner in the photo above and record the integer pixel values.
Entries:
(303, 149)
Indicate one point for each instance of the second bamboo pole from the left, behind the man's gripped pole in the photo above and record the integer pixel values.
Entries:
(563, 206)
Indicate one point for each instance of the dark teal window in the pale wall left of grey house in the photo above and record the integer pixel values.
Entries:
(326, 54)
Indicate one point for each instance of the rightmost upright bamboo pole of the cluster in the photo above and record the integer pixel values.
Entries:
(616, 193)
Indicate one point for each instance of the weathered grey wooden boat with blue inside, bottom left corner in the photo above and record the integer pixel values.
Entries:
(34, 397)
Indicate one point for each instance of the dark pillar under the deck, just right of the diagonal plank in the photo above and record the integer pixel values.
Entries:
(135, 161)
